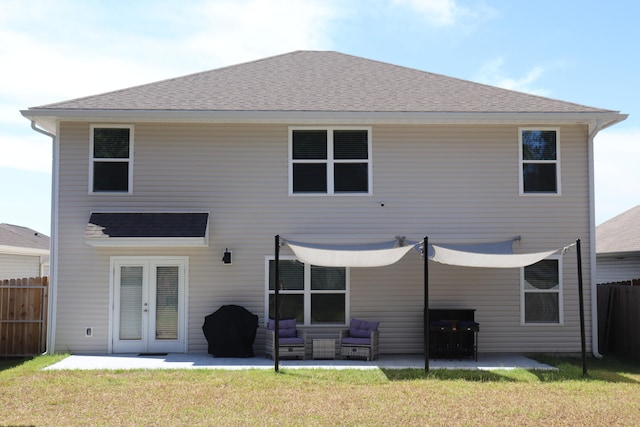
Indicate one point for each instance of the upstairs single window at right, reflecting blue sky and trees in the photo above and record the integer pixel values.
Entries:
(539, 150)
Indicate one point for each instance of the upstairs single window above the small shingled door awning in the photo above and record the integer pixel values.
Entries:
(111, 159)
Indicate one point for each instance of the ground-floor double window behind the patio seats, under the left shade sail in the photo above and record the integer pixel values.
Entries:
(311, 294)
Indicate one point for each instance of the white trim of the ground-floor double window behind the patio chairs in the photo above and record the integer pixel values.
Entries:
(307, 292)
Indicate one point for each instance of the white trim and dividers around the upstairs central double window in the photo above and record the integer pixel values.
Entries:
(331, 161)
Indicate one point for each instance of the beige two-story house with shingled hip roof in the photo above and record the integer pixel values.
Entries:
(153, 184)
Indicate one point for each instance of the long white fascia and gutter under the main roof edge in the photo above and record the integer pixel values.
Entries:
(46, 118)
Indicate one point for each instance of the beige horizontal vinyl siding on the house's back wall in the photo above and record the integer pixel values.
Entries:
(455, 184)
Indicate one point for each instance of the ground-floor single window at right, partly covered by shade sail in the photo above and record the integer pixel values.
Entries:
(541, 285)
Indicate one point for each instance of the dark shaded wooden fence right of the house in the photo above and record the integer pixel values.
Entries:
(619, 318)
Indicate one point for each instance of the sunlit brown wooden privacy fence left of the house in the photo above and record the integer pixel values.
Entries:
(23, 316)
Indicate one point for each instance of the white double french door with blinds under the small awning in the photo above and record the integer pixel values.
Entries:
(149, 309)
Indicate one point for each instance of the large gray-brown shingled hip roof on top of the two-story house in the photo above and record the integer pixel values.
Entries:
(323, 82)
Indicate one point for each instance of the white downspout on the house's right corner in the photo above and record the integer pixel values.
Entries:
(593, 131)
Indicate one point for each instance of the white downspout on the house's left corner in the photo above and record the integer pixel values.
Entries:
(53, 253)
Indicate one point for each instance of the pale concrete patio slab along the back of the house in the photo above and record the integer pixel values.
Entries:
(205, 361)
